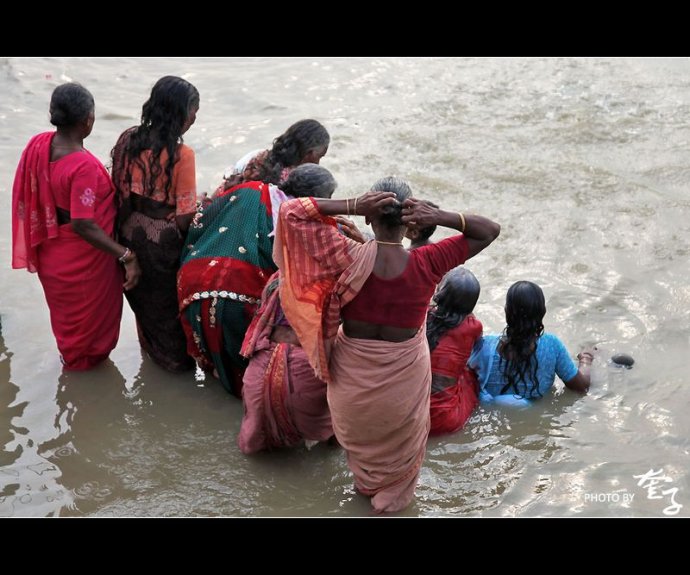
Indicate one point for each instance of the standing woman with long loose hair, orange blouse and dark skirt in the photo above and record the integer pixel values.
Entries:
(154, 173)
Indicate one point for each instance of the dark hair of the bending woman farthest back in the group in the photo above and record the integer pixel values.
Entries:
(291, 147)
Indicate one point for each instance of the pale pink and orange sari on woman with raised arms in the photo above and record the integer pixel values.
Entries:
(378, 391)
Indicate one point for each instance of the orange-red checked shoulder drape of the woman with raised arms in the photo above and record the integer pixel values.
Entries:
(321, 271)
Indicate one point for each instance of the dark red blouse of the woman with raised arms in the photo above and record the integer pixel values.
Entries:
(402, 301)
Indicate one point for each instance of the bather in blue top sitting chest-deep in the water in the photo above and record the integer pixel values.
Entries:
(522, 364)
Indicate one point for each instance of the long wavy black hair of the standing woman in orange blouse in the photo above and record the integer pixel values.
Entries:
(163, 117)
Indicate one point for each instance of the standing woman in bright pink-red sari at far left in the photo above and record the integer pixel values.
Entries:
(63, 218)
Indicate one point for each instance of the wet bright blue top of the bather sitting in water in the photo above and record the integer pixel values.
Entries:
(551, 354)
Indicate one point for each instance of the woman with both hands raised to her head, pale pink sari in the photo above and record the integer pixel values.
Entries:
(376, 364)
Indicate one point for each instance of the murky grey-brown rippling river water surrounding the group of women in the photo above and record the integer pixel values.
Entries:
(585, 164)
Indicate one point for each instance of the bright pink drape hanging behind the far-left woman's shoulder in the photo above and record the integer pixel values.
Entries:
(34, 218)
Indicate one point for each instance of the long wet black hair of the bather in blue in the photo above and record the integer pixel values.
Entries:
(525, 310)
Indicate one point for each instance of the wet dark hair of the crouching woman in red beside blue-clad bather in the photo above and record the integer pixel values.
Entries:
(454, 300)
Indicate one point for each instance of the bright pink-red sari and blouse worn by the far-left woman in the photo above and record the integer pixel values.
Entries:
(82, 284)
